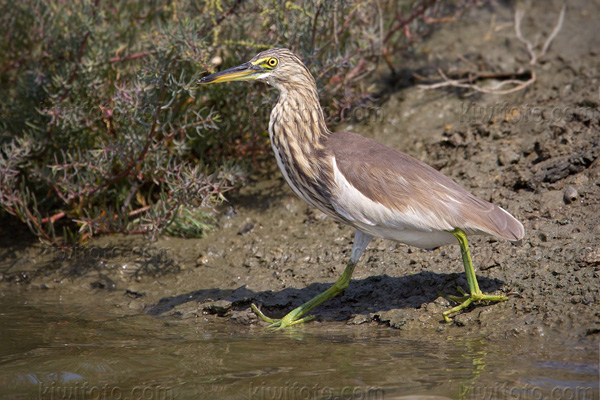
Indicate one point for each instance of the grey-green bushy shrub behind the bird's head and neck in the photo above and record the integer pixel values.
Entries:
(103, 128)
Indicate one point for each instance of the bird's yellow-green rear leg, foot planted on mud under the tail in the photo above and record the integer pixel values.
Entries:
(475, 293)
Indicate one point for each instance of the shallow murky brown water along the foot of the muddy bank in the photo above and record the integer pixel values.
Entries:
(48, 353)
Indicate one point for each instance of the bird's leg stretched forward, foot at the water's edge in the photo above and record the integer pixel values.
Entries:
(361, 241)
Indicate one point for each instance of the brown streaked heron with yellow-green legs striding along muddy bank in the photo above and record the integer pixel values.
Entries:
(379, 191)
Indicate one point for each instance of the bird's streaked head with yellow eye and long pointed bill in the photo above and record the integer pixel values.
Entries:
(277, 67)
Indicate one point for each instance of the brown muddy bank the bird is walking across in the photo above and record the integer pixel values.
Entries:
(535, 153)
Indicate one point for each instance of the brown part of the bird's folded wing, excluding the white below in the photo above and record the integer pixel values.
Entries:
(409, 186)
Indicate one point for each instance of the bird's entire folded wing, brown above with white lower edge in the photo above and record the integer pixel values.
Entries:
(384, 188)
